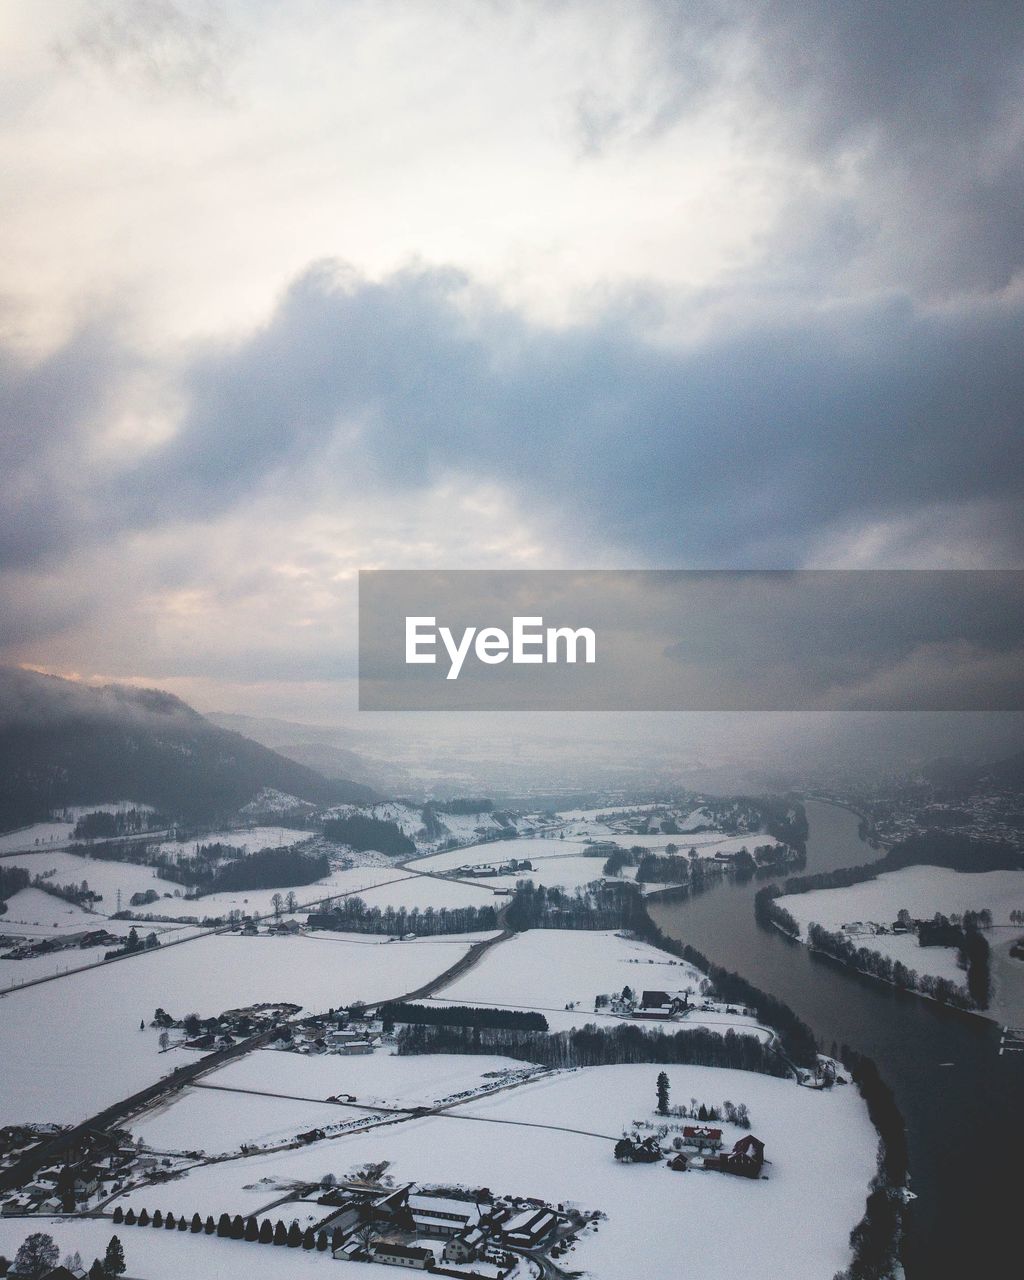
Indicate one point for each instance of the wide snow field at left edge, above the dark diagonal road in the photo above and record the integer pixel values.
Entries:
(74, 1046)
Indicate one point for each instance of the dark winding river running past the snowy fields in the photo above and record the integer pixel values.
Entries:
(961, 1100)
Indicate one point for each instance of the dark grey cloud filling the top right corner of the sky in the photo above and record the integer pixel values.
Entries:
(925, 97)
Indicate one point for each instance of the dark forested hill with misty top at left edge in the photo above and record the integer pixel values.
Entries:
(65, 743)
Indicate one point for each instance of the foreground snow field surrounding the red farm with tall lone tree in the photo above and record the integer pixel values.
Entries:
(821, 1146)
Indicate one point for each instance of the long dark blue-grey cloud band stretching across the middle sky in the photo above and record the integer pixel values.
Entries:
(752, 445)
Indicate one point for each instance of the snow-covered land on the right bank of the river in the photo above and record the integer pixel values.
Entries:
(924, 892)
